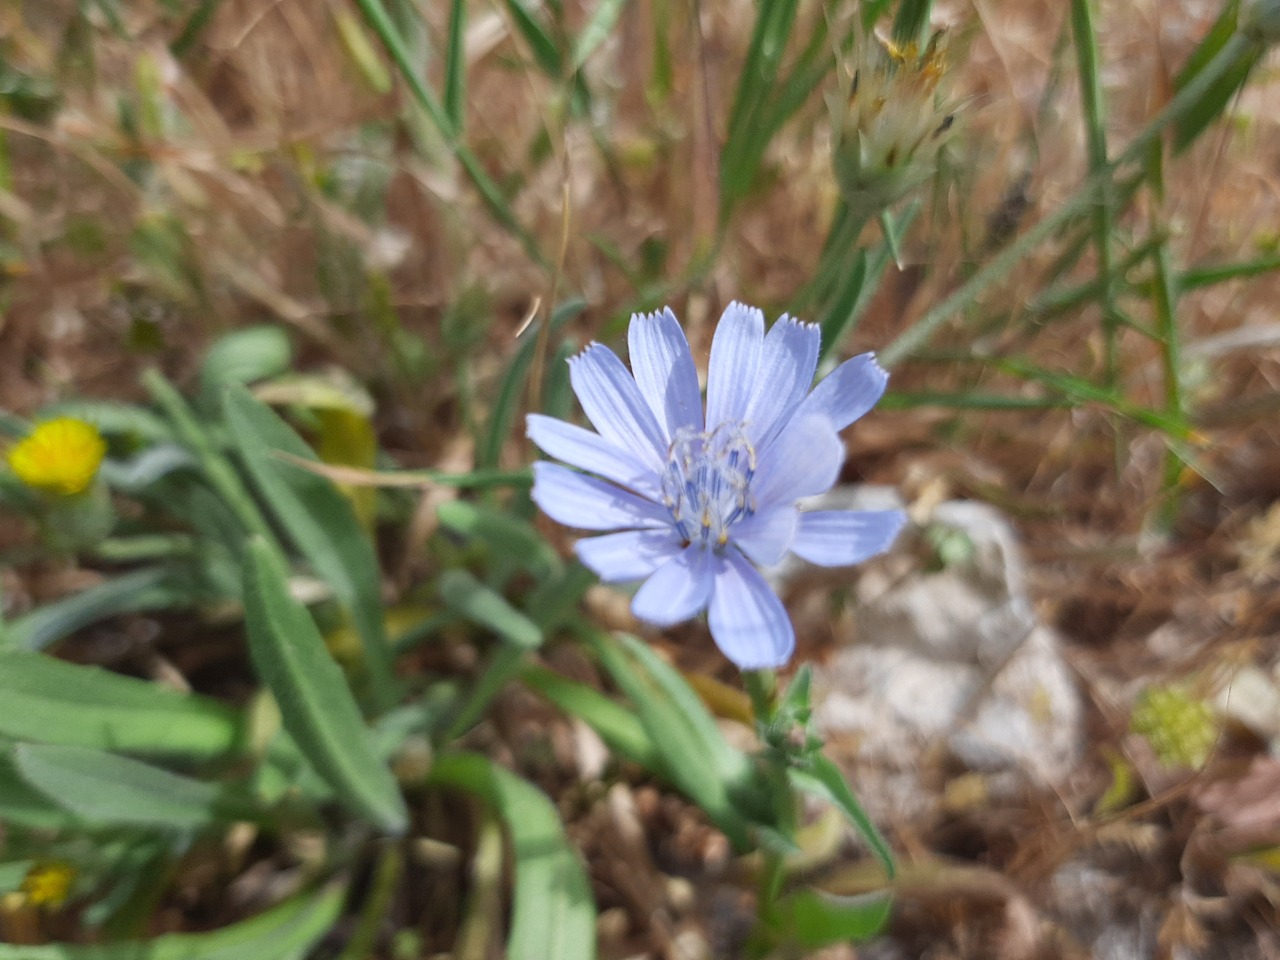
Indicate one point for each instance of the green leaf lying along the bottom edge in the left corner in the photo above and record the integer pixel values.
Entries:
(285, 932)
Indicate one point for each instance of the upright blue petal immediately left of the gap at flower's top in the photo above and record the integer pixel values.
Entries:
(665, 372)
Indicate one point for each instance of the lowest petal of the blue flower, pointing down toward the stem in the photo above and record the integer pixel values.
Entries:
(748, 621)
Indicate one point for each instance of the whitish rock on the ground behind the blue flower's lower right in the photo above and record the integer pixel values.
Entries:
(949, 659)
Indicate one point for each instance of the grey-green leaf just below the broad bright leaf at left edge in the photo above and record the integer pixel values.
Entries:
(106, 789)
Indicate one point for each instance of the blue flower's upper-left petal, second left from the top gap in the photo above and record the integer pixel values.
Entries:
(614, 404)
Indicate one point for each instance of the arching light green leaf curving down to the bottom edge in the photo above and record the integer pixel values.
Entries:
(554, 915)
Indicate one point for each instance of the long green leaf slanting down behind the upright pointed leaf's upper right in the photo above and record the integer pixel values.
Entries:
(321, 522)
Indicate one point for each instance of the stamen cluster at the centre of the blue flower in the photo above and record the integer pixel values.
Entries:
(707, 483)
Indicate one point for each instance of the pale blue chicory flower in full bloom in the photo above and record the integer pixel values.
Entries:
(702, 501)
